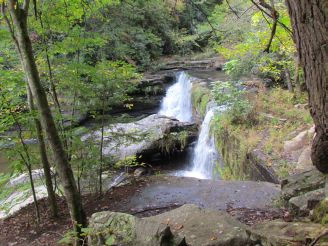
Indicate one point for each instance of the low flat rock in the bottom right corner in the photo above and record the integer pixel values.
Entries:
(279, 233)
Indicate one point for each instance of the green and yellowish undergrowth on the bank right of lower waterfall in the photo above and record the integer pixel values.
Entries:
(262, 120)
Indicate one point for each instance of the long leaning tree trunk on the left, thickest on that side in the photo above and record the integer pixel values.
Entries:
(19, 17)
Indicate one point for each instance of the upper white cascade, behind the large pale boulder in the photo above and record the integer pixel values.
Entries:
(177, 102)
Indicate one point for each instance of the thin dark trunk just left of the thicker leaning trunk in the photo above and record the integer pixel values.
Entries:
(44, 159)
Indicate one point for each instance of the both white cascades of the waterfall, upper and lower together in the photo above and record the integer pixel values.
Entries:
(177, 104)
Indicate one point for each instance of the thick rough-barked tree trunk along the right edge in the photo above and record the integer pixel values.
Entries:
(310, 26)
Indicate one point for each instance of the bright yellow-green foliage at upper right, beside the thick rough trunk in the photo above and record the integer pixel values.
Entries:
(244, 43)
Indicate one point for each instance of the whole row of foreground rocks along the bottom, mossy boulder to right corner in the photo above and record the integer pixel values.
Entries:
(194, 226)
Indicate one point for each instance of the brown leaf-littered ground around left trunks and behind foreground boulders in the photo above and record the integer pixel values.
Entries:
(22, 229)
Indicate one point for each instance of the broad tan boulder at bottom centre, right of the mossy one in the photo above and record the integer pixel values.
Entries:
(204, 226)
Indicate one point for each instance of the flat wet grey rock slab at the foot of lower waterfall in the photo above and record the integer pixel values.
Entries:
(164, 191)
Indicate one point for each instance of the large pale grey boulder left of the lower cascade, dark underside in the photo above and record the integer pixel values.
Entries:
(150, 135)
